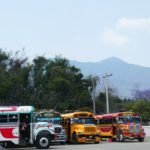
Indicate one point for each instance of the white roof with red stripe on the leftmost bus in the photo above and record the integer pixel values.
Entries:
(16, 109)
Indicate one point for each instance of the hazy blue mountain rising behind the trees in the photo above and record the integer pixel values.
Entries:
(125, 77)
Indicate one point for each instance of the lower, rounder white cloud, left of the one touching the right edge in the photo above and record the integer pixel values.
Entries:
(114, 38)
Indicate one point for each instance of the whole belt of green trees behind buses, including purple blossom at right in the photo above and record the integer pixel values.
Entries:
(55, 84)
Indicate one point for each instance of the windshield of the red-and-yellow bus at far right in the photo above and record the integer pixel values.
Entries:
(127, 119)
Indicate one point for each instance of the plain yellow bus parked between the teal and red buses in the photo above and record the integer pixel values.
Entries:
(80, 127)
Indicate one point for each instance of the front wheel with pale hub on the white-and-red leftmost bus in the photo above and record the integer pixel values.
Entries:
(43, 141)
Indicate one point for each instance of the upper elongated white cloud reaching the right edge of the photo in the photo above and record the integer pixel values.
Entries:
(133, 23)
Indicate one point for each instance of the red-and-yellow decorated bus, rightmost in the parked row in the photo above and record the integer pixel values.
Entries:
(120, 126)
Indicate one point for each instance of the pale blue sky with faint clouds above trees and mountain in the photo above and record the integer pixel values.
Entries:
(83, 30)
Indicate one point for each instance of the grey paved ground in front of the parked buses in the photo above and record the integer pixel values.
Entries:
(133, 145)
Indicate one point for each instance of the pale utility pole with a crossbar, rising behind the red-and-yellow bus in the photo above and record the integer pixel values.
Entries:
(106, 90)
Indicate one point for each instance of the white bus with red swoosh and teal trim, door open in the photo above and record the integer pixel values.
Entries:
(17, 127)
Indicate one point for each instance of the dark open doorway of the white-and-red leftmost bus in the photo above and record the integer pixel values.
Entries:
(25, 127)
